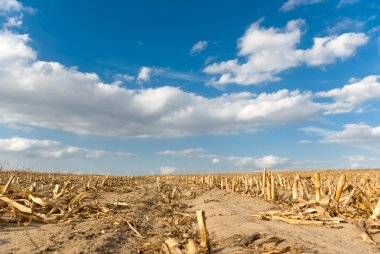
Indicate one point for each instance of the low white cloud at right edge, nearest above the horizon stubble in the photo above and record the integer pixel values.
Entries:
(359, 135)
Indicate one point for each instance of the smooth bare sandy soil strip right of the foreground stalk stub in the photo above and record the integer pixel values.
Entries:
(229, 220)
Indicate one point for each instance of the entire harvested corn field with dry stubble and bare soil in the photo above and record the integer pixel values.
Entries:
(267, 212)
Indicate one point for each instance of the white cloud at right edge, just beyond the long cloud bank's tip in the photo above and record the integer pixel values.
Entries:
(352, 96)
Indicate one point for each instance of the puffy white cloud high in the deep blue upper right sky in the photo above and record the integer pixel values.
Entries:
(268, 51)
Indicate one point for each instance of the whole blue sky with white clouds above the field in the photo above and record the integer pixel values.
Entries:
(181, 87)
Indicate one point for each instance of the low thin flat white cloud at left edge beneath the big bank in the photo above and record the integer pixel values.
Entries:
(51, 149)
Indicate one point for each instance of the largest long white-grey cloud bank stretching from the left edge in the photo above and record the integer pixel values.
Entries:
(86, 105)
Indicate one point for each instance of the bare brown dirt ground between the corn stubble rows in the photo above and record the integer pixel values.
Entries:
(156, 217)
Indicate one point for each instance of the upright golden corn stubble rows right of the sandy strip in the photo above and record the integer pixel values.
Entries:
(307, 198)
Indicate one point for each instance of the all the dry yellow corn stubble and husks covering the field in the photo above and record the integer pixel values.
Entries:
(325, 198)
